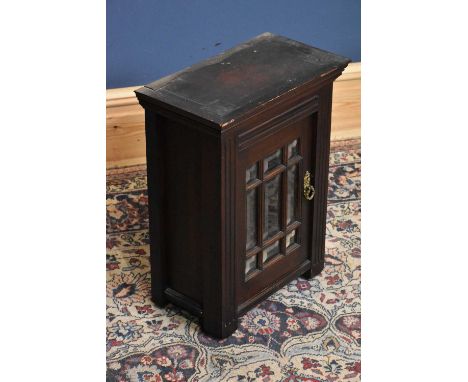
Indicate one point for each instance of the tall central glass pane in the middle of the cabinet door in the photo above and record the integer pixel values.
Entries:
(272, 207)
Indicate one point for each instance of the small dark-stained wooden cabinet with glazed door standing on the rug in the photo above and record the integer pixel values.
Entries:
(237, 154)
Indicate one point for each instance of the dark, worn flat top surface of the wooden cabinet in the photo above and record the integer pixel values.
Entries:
(227, 86)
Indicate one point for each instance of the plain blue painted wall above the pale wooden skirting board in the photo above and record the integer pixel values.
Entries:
(148, 39)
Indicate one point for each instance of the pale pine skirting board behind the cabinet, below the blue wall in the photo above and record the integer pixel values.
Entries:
(125, 133)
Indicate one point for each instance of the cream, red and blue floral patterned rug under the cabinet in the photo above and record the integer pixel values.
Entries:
(307, 331)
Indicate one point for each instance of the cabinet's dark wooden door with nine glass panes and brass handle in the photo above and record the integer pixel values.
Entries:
(275, 196)
